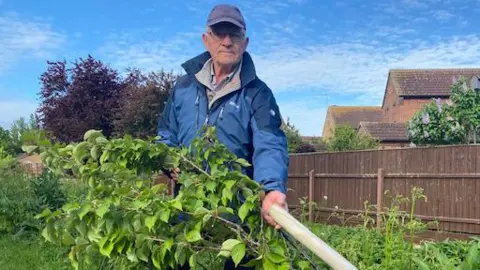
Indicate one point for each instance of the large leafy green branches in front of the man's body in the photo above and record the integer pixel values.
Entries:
(123, 213)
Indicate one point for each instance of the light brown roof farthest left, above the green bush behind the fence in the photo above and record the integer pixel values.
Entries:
(352, 115)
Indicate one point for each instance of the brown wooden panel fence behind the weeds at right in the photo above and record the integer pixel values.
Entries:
(342, 182)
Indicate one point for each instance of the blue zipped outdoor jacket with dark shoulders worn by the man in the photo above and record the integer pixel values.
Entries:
(247, 121)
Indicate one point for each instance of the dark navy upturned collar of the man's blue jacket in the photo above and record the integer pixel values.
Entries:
(247, 74)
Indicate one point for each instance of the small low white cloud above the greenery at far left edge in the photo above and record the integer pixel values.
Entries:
(11, 110)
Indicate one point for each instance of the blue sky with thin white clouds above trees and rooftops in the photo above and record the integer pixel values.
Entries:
(311, 53)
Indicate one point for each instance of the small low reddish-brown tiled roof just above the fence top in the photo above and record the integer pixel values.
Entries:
(386, 131)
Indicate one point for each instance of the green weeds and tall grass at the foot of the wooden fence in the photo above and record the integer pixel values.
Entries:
(391, 244)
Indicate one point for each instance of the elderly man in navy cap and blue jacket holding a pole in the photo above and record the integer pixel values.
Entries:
(221, 88)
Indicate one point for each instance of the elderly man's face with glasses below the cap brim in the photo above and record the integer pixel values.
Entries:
(226, 43)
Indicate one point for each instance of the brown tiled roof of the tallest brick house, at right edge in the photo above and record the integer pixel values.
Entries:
(427, 82)
